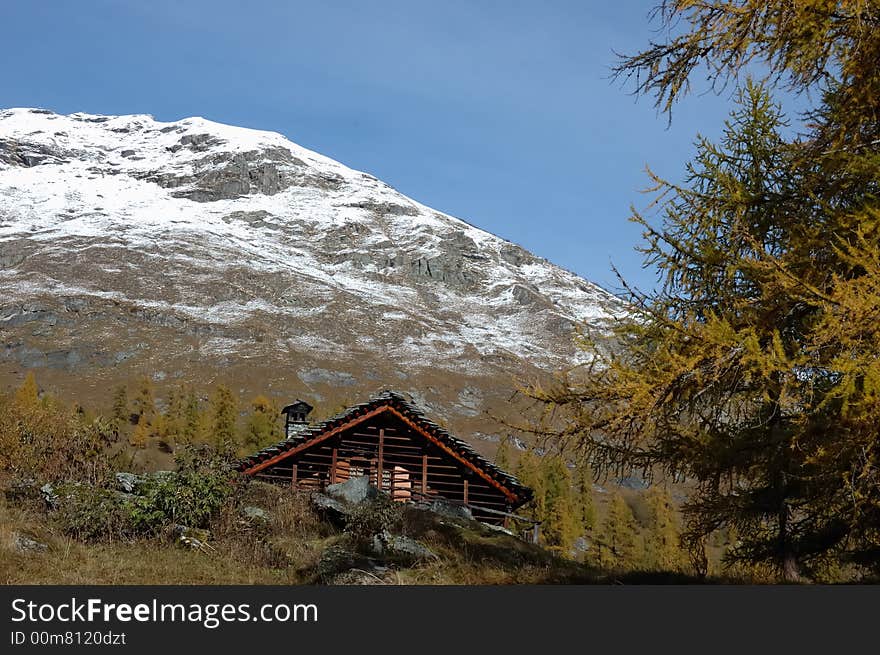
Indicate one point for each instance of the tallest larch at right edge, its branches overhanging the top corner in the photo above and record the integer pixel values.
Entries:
(815, 260)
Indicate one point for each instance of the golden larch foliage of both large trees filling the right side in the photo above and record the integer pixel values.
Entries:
(752, 371)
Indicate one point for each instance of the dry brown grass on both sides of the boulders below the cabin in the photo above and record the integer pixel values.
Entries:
(286, 549)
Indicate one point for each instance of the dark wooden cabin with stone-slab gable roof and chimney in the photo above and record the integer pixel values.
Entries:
(390, 440)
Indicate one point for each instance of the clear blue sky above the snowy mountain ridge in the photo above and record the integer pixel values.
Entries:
(500, 113)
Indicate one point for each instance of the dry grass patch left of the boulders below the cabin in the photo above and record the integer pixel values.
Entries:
(289, 544)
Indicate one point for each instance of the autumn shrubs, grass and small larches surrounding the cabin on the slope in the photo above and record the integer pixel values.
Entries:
(84, 502)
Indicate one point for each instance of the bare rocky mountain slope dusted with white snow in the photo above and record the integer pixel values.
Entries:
(127, 244)
